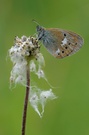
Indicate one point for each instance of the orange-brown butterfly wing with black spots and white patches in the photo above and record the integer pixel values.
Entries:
(61, 43)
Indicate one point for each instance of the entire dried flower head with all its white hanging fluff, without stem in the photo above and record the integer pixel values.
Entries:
(27, 50)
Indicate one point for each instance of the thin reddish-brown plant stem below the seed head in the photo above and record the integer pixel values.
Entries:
(26, 100)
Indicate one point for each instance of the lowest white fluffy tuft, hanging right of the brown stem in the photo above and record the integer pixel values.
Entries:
(39, 98)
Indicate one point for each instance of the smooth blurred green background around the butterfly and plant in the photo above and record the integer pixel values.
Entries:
(69, 114)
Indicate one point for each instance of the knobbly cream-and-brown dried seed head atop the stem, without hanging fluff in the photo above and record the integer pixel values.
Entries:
(25, 47)
